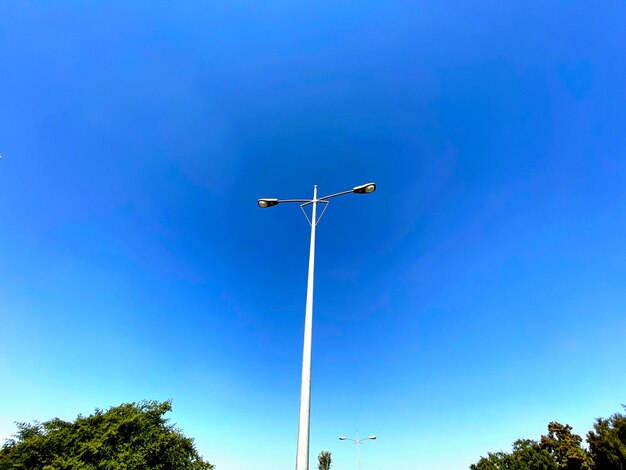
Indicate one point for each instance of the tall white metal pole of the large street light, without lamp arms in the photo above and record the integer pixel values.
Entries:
(302, 453)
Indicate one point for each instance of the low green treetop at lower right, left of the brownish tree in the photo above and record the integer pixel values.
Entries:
(527, 455)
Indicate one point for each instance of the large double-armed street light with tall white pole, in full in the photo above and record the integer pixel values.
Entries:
(302, 453)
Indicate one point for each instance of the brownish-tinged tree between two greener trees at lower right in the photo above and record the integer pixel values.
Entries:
(566, 447)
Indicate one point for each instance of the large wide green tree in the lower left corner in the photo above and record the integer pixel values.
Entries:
(127, 437)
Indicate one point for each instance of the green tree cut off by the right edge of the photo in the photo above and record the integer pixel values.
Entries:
(607, 443)
